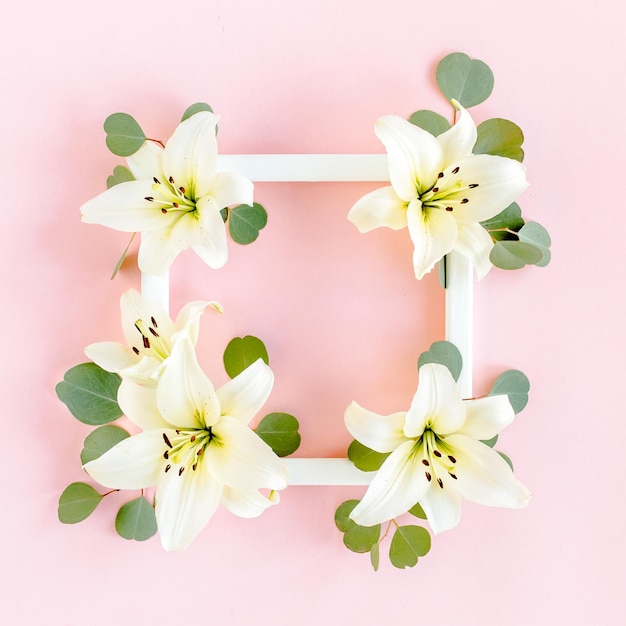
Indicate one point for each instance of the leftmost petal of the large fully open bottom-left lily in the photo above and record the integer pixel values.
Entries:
(134, 463)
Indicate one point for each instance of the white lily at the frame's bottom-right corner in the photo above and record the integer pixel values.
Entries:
(437, 456)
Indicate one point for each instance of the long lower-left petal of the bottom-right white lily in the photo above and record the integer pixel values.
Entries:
(397, 486)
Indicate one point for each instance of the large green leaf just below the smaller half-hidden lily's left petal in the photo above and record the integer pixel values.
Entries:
(90, 394)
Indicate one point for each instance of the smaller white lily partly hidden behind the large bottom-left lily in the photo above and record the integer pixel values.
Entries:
(149, 332)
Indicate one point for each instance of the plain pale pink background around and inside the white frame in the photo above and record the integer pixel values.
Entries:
(340, 312)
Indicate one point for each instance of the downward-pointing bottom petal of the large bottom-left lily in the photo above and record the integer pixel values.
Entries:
(184, 506)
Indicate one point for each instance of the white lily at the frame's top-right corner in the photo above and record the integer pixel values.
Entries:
(440, 191)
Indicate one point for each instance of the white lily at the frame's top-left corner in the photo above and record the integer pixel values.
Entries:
(176, 199)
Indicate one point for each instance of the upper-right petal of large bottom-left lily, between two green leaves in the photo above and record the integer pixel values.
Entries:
(243, 396)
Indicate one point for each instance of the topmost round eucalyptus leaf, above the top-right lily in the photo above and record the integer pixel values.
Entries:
(469, 81)
